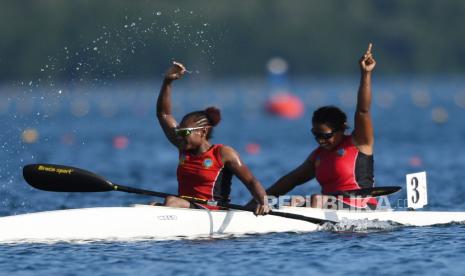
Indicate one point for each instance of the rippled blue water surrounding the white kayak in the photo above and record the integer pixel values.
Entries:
(419, 127)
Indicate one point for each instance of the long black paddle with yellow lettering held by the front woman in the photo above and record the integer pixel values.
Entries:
(59, 178)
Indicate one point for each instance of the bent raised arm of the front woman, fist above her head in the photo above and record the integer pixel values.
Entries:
(165, 117)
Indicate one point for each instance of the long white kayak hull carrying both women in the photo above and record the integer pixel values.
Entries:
(157, 222)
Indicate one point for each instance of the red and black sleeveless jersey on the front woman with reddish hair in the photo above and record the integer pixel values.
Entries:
(204, 176)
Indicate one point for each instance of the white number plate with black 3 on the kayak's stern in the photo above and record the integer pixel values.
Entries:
(417, 195)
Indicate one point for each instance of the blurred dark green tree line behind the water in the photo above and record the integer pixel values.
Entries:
(124, 39)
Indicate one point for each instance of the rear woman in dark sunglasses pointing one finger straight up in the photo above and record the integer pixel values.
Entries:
(341, 162)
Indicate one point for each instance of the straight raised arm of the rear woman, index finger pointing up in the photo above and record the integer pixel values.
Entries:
(363, 126)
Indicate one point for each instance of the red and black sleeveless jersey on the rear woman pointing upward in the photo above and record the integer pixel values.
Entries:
(343, 168)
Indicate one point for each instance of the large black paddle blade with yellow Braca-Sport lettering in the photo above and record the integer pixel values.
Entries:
(59, 178)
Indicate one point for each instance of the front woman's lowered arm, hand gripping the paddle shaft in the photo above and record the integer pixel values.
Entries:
(233, 162)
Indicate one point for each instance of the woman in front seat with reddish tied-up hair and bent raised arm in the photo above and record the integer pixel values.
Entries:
(204, 170)
